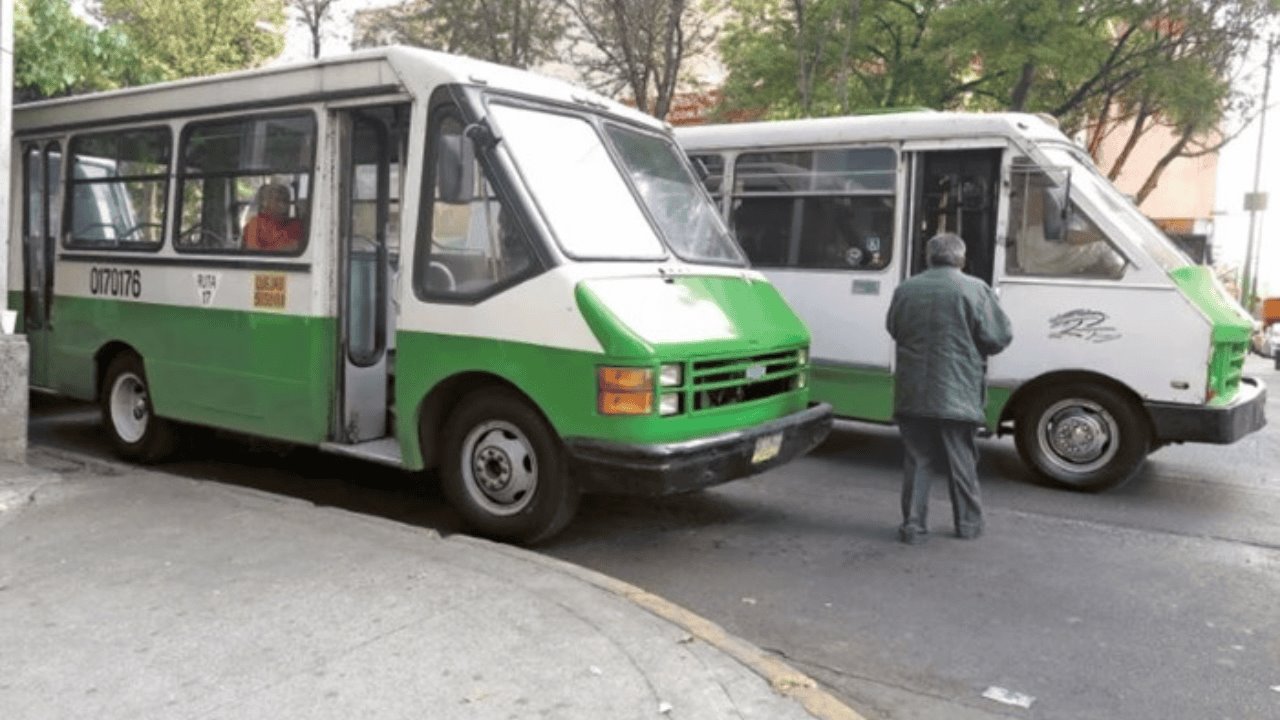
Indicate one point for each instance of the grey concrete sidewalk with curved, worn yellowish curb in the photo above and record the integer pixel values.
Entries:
(129, 594)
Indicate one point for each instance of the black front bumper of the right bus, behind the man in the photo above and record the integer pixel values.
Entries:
(1204, 423)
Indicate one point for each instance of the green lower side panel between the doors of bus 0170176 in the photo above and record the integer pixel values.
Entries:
(258, 373)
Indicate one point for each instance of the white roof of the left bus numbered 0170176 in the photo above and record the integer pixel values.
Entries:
(381, 71)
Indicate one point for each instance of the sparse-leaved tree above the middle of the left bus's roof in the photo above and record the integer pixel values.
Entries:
(513, 33)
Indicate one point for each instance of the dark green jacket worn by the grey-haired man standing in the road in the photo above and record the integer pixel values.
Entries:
(945, 323)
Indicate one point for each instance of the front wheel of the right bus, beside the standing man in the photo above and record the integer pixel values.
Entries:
(1082, 436)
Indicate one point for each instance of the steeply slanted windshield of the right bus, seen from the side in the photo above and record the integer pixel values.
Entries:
(1105, 198)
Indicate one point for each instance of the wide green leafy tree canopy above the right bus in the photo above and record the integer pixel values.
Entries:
(1098, 66)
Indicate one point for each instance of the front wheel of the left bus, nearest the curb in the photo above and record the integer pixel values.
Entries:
(505, 470)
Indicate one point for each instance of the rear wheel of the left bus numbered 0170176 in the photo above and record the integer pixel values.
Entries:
(127, 413)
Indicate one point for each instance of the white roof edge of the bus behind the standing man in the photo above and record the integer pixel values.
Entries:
(889, 127)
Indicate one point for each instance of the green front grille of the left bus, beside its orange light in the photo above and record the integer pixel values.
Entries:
(732, 381)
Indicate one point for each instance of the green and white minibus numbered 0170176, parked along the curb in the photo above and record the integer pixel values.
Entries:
(412, 258)
